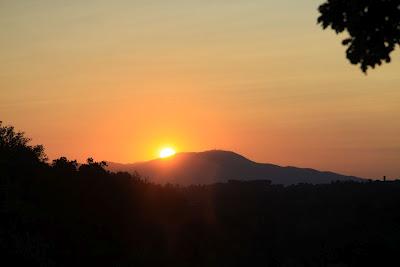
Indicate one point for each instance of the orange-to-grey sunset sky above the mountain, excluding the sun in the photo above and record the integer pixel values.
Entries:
(117, 80)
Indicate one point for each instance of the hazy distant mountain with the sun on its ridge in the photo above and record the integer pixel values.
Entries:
(220, 166)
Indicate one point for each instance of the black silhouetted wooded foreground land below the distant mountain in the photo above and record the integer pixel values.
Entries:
(66, 214)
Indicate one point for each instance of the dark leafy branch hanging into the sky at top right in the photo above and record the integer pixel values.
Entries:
(373, 27)
